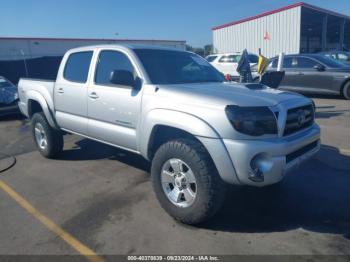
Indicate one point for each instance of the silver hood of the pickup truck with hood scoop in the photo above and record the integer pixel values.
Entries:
(222, 94)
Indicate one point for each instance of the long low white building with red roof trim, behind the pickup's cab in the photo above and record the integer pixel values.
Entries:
(17, 48)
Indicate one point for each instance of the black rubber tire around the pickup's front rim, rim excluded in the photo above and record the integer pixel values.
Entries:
(211, 189)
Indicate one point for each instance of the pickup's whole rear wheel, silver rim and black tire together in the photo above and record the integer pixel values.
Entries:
(48, 140)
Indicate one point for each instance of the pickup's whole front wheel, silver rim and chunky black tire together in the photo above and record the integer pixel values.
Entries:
(186, 181)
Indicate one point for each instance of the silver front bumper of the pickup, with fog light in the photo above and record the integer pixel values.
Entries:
(265, 162)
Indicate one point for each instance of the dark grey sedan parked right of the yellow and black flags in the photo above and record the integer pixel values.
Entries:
(312, 73)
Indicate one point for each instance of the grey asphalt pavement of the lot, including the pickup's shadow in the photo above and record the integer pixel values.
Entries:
(102, 197)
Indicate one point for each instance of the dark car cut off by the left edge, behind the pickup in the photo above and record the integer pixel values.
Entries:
(8, 97)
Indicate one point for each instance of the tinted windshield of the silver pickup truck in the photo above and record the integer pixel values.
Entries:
(176, 67)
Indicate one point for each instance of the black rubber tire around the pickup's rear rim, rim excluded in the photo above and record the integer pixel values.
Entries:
(54, 137)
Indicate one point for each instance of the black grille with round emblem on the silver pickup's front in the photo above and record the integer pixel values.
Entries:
(299, 118)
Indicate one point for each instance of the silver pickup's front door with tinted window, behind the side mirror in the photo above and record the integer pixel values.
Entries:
(113, 110)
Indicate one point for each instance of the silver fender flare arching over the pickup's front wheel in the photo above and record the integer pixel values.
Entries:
(177, 119)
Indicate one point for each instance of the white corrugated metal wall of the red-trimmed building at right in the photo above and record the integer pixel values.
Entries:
(283, 29)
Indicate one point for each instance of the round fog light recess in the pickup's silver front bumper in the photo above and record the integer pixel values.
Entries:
(260, 165)
